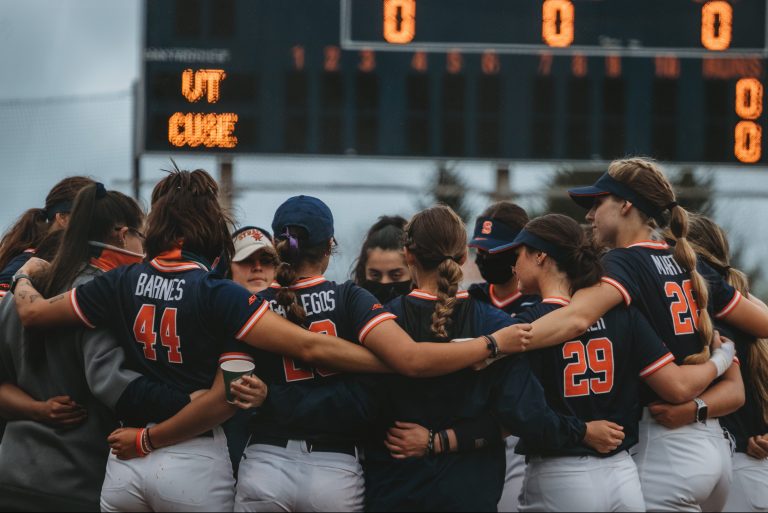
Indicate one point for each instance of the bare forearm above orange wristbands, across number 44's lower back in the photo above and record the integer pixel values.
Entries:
(199, 416)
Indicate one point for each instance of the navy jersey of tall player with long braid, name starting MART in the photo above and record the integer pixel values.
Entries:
(648, 277)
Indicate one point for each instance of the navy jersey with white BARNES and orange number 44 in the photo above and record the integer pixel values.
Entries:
(174, 319)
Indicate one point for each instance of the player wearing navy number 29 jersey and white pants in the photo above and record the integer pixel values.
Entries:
(596, 376)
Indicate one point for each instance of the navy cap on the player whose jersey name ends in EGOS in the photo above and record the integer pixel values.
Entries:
(307, 212)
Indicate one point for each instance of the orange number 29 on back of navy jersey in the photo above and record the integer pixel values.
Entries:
(598, 357)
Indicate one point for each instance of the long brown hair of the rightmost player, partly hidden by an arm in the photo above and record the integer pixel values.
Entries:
(711, 243)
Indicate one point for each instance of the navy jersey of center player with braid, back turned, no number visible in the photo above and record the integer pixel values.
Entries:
(466, 481)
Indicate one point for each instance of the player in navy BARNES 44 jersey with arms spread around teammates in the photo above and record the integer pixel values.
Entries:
(197, 318)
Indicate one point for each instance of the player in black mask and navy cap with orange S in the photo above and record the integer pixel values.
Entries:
(495, 229)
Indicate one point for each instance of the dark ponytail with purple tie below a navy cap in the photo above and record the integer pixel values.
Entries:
(291, 258)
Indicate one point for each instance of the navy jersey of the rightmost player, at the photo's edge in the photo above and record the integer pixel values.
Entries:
(748, 420)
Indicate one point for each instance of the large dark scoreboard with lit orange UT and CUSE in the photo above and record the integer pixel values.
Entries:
(680, 80)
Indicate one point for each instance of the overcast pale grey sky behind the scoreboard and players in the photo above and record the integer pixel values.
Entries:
(65, 108)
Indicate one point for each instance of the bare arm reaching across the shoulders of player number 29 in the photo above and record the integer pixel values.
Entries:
(586, 307)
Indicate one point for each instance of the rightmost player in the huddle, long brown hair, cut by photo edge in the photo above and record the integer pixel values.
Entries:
(749, 425)
